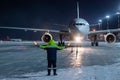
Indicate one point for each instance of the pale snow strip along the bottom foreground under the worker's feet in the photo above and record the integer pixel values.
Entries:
(109, 72)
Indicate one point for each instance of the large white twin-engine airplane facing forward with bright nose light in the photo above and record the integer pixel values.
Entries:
(78, 30)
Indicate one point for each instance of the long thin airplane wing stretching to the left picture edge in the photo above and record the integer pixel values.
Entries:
(35, 29)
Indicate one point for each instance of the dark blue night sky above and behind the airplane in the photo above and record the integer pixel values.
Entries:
(46, 13)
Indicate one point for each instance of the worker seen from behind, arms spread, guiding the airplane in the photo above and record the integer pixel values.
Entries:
(52, 48)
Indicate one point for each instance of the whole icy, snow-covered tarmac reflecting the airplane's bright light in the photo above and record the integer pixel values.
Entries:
(24, 61)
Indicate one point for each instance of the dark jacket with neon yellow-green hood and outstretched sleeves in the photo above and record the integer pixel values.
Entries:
(52, 50)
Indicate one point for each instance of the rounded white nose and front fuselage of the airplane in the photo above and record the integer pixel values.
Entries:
(79, 28)
